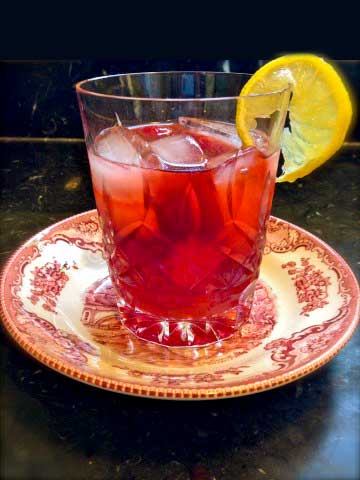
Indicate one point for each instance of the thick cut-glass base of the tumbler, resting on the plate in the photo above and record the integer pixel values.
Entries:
(183, 333)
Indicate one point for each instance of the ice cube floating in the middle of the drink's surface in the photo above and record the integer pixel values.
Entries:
(179, 151)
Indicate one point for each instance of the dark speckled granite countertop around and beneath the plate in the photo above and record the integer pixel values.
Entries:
(54, 428)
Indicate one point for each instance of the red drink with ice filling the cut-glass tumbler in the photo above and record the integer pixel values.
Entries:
(183, 242)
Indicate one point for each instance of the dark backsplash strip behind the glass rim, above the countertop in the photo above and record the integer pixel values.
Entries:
(38, 98)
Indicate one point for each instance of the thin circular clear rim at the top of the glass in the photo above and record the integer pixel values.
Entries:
(79, 86)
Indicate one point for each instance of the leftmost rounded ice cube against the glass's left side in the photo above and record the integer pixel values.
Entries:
(119, 144)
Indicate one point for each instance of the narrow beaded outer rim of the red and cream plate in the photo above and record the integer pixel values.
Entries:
(168, 393)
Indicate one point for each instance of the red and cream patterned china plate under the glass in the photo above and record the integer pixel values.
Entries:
(59, 306)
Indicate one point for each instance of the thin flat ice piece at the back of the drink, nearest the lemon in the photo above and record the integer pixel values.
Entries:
(226, 131)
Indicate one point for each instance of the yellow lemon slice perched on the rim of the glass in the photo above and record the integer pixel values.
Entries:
(320, 110)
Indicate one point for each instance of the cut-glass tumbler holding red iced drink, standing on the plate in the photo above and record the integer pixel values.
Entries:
(183, 201)
